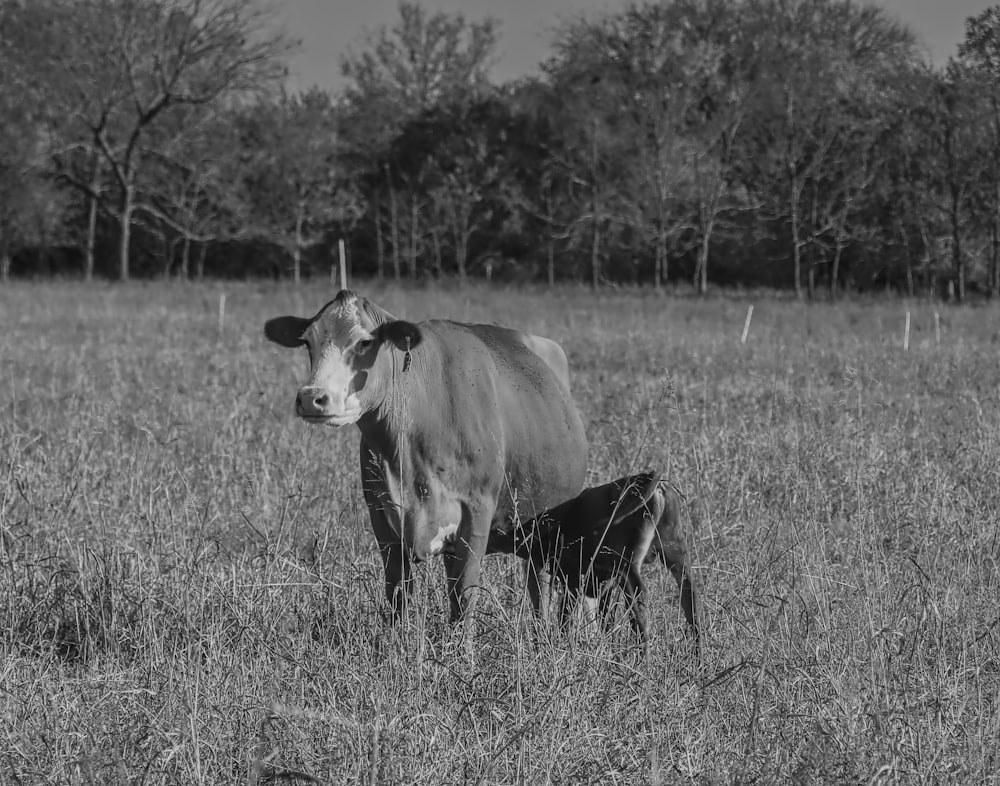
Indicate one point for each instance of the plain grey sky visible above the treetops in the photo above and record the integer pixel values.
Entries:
(328, 28)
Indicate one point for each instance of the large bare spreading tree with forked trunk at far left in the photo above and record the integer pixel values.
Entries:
(119, 67)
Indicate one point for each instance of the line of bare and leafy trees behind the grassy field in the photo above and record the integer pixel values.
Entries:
(807, 144)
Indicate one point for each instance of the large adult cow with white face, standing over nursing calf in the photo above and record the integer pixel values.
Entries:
(465, 429)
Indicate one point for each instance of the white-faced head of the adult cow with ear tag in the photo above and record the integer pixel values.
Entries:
(350, 343)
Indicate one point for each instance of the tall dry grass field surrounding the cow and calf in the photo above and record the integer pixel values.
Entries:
(190, 593)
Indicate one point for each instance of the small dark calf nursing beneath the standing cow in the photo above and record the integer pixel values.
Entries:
(602, 537)
